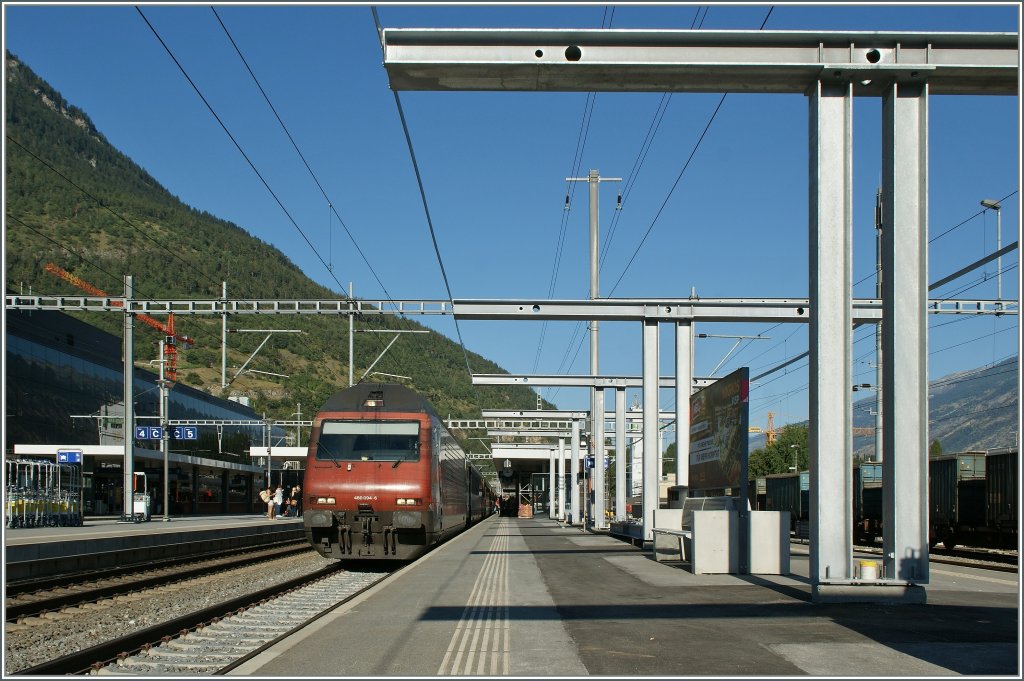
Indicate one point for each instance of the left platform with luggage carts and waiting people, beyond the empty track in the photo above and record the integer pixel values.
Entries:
(106, 542)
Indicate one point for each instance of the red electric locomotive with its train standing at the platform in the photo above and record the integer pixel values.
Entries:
(386, 480)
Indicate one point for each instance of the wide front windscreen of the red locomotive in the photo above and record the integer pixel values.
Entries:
(375, 441)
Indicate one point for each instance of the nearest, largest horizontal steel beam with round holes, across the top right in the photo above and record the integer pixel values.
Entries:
(652, 61)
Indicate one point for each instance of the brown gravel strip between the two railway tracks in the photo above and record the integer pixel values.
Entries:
(38, 641)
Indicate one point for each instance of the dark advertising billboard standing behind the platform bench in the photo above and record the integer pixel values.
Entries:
(719, 419)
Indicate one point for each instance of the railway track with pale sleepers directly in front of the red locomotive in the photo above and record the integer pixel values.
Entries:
(219, 637)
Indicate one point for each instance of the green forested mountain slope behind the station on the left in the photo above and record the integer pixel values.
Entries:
(76, 201)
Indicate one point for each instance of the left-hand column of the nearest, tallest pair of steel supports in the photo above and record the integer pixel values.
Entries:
(831, 440)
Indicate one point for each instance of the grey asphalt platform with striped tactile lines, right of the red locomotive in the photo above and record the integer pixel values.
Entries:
(533, 599)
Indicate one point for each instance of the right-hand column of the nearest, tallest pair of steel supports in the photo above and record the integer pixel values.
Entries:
(905, 334)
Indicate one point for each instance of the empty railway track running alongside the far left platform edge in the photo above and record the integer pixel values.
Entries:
(39, 598)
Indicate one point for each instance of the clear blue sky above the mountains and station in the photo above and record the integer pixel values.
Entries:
(495, 165)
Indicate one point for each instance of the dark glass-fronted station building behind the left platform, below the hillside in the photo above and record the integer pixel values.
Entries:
(64, 387)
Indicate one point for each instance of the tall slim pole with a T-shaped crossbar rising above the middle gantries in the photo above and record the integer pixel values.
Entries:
(594, 180)
